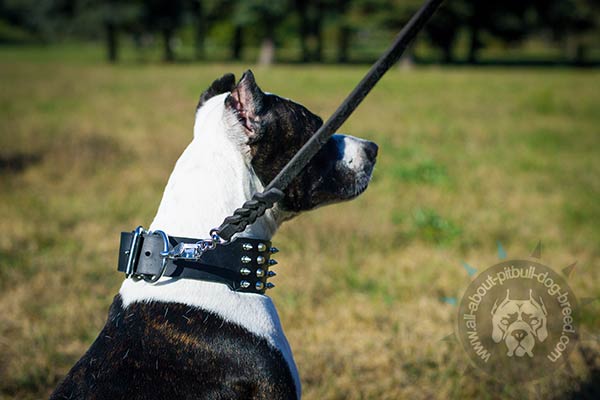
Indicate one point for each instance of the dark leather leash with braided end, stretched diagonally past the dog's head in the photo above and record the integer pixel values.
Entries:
(260, 202)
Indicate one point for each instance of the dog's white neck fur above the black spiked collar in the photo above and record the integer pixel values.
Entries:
(210, 180)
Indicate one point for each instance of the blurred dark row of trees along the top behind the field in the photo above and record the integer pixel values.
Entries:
(312, 30)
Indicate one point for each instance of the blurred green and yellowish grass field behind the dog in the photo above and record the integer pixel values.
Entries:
(468, 158)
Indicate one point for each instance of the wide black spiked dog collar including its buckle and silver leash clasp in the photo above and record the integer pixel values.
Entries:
(149, 256)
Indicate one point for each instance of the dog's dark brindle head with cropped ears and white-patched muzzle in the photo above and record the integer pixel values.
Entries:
(269, 130)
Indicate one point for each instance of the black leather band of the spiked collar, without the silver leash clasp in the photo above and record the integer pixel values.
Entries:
(242, 264)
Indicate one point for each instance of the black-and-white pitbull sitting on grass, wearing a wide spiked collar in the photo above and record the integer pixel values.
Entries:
(193, 339)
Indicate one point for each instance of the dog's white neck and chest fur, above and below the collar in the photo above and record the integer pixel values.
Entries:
(210, 180)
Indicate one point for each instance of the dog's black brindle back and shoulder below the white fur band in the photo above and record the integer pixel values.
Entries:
(155, 350)
